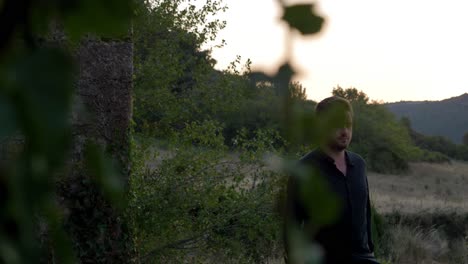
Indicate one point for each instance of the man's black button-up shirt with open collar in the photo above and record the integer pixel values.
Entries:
(351, 232)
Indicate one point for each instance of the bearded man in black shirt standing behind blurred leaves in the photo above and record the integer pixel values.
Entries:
(348, 238)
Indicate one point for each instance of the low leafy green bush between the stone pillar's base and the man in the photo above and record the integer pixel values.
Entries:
(211, 201)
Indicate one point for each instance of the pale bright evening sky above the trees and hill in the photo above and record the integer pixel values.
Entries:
(391, 49)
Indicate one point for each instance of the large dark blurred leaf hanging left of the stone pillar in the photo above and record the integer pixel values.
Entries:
(43, 85)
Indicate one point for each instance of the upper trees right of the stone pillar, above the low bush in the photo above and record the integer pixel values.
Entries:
(169, 95)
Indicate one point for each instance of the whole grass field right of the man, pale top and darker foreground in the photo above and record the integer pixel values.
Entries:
(427, 213)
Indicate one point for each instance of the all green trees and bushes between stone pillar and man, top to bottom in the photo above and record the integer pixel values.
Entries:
(211, 184)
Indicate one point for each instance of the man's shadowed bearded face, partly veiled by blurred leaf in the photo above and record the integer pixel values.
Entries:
(341, 135)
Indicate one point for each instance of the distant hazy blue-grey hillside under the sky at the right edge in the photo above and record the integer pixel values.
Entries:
(448, 118)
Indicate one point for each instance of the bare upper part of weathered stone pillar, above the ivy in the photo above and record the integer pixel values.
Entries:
(104, 92)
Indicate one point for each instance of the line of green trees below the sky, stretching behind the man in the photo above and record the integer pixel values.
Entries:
(176, 83)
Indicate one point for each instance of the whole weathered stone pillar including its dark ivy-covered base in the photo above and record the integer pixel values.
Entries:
(101, 114)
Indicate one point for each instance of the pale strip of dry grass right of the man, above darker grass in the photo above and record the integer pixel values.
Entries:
(427, 187)
